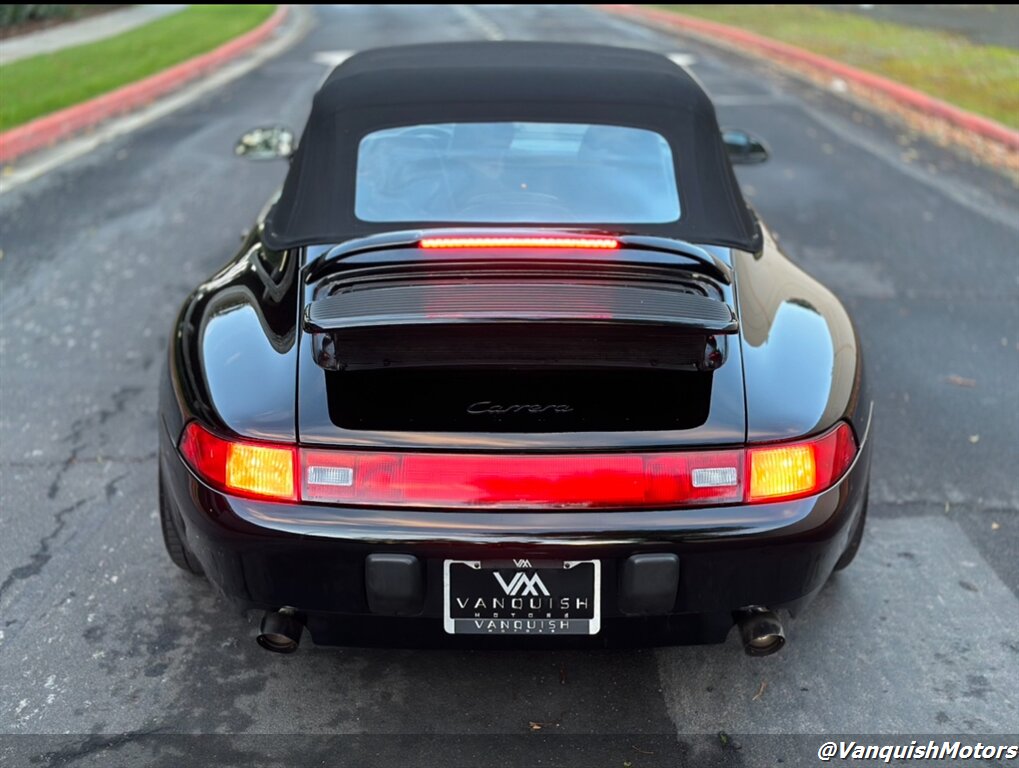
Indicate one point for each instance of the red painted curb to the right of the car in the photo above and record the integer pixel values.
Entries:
(902, 94)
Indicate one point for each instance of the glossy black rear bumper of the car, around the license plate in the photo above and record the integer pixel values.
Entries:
(312, 558)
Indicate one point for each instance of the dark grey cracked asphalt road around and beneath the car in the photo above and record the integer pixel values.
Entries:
(100, 636)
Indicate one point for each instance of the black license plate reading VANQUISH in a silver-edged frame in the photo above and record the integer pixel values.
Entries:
(522, 597)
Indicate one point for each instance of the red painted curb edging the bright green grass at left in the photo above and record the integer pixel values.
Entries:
(47, 131)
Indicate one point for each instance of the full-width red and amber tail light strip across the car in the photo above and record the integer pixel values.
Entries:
(762, 474)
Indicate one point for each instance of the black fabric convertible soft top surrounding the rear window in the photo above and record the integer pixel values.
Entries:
(507, 82)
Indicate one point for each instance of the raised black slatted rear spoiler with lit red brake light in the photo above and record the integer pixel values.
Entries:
(528, 306)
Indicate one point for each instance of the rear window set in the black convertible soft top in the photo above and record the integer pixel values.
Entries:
(496, 173)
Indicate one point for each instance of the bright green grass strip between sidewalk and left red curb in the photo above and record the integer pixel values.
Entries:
(35, 87)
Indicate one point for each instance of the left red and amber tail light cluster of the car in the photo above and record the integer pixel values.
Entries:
(242, 468)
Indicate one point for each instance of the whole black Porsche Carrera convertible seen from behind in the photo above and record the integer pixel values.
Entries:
(510, 360)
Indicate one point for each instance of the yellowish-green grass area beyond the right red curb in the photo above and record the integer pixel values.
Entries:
(979, 78)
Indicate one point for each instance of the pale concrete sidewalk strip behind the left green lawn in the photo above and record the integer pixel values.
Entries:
(79, 33)
